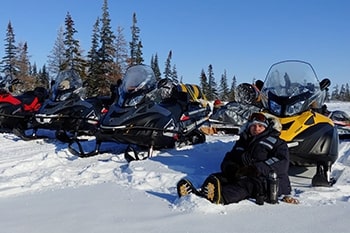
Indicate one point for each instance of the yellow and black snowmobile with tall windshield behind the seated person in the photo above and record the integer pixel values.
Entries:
(292, 92)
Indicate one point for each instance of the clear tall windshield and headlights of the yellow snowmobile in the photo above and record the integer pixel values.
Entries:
(291, 87)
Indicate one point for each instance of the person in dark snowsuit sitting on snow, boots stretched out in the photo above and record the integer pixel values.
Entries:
(245, 169)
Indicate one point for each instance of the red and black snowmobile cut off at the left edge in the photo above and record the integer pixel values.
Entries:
(16, 111)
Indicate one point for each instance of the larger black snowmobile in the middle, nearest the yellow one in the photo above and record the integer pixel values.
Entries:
(148, 115)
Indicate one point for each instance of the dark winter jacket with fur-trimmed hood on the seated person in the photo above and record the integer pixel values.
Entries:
(257, 156)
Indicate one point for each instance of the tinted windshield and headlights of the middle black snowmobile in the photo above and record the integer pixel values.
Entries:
(137, 82)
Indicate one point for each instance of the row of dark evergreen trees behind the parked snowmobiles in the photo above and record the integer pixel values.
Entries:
(105, 62)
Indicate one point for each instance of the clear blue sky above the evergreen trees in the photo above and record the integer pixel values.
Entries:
(241, 37)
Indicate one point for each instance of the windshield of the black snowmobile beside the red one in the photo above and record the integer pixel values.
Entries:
(66, 84)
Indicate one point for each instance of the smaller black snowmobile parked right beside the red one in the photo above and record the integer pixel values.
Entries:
(66, 111)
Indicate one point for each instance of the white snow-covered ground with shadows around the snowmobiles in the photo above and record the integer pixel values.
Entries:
(44, 188)
